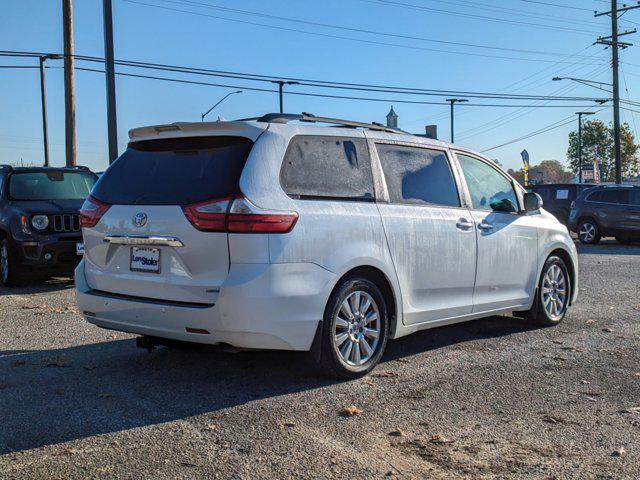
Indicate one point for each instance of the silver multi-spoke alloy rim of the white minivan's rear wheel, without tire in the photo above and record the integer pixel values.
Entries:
(357, 327)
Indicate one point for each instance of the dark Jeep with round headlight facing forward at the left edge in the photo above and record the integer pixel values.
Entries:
(39, 222)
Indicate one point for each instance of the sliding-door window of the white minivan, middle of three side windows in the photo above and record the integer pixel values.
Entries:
(418, 176)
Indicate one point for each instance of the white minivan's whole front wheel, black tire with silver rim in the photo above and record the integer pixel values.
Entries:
(552, 295)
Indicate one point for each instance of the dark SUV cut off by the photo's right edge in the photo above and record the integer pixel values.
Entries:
(607, 211)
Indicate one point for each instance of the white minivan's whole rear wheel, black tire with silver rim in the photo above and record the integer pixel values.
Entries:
(354, 329)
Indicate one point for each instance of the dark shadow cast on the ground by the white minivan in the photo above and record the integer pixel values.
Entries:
(53, 396)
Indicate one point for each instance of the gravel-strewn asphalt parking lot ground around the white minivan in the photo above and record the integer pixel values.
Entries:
(494, 398)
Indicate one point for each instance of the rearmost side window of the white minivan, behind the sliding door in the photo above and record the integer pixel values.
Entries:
(327, 168)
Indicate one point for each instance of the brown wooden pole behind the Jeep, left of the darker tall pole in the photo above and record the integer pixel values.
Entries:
(69, 94)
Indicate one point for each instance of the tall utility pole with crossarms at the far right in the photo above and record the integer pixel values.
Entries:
(613, 42)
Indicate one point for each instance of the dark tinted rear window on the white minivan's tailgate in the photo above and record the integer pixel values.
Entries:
(176, 171)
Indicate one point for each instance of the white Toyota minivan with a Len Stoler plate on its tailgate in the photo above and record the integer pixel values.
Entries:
(278, 233)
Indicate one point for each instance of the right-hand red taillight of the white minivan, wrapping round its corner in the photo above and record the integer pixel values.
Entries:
(238, 215)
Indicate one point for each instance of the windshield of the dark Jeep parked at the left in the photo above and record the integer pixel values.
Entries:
(50, 185)
